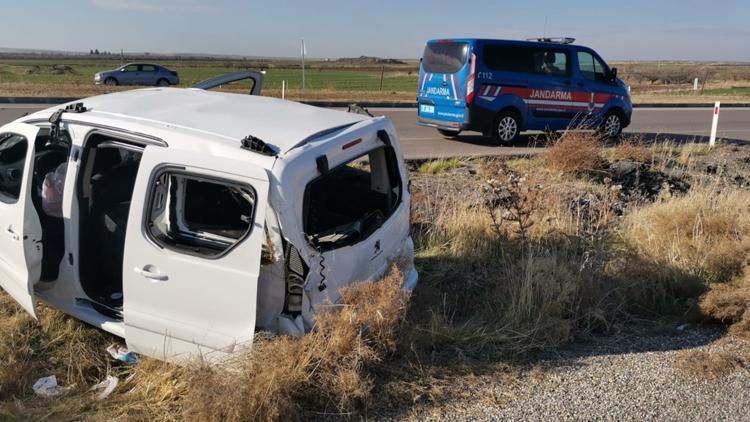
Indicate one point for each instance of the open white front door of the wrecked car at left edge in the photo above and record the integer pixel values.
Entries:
(20, 242)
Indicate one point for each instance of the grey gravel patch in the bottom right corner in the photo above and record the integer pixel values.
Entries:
(629, 377)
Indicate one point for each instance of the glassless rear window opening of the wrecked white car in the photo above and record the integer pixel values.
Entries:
(351, 201)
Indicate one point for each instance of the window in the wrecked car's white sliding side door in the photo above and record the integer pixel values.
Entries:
(197, 215)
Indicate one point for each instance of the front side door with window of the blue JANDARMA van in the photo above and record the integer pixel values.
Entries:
(591, 82)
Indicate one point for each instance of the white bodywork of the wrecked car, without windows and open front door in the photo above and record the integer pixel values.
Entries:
(210, 307)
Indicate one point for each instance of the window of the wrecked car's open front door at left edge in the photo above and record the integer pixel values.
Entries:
(12, 161)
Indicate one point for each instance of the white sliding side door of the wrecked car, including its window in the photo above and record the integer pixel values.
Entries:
(192, 253)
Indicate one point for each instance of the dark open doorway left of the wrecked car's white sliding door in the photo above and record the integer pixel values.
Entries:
(109, 169)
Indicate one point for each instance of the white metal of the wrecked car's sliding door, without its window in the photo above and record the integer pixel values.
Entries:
(216, 306)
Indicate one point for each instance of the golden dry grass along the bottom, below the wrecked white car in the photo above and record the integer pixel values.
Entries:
(325, 372)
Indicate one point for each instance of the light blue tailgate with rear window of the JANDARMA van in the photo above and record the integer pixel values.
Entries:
(442, 80)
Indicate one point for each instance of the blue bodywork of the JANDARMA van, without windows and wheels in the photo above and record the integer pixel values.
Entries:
(543, 101)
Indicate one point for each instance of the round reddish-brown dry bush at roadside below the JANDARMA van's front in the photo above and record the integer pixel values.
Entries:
(575, 152)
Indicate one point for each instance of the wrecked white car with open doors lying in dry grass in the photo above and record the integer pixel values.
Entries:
(184, 220)
